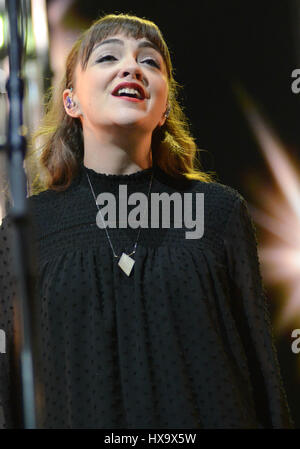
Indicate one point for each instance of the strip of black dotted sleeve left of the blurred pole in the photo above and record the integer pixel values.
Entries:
(6, 323)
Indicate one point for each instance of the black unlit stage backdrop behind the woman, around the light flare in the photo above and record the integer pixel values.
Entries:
(215, 47)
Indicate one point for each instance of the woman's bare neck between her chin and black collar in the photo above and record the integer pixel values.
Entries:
(116, 154)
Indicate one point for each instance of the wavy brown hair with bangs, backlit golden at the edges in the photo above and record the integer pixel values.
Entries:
(61, 148)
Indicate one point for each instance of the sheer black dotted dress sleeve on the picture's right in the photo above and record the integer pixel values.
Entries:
(252, 317)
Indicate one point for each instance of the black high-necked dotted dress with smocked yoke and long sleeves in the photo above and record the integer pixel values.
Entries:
(184, 342)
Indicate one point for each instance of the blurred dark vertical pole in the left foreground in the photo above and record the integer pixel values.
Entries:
(21, 219)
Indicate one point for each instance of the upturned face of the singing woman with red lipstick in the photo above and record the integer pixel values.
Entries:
(114, 61)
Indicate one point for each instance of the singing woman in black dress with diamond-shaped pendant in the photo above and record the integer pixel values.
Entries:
(141, 328)
